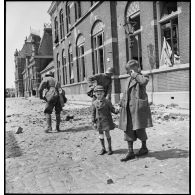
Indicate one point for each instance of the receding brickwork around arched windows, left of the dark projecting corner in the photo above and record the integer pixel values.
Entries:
(85, 28)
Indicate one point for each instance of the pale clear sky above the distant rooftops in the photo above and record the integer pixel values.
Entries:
(20, 17)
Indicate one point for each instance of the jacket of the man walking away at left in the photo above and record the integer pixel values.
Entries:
(50, 84)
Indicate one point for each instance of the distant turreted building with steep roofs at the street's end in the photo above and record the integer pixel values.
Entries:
(35, 55)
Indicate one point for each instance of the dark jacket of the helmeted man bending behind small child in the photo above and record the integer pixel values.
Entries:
(103, 80)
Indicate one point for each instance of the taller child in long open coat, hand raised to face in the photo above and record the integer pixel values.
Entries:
(135, 114)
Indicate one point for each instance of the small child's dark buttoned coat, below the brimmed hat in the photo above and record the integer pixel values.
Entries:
(101, 114)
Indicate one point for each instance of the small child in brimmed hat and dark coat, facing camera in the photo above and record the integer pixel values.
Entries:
(102, 117)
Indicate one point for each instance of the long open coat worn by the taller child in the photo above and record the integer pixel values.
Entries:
(135, 97)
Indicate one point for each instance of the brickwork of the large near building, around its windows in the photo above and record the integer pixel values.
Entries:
(112, 14)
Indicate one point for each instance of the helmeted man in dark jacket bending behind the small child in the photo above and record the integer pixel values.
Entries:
(103, 79)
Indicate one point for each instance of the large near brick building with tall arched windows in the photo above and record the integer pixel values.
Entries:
(90, 36)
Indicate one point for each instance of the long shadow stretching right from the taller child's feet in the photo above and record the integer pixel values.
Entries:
(160, 155)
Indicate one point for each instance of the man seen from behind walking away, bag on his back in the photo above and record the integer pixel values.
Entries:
(52, 86)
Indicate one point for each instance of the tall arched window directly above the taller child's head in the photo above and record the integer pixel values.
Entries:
(134, 39)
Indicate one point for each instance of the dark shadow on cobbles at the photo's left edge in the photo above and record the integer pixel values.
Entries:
(12, 149)
